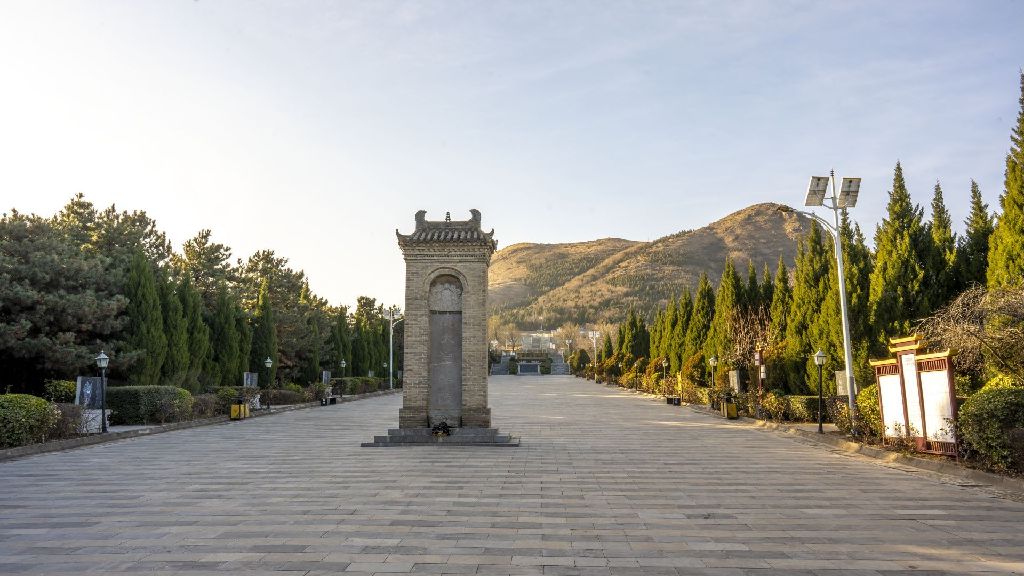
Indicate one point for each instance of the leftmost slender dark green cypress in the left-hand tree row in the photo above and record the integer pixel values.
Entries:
(146, 322)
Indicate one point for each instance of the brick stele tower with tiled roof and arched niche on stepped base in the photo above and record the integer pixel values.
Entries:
(445, 391)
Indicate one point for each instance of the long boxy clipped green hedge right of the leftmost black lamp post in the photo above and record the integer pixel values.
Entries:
(144, 405)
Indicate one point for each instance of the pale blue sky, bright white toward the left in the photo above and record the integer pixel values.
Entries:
(317, 130)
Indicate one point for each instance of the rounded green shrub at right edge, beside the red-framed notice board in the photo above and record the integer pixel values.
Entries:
(991, 424)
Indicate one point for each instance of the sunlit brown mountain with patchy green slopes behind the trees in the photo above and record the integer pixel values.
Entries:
(600, 281)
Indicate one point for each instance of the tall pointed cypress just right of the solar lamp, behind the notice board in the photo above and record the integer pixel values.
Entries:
(898, 296)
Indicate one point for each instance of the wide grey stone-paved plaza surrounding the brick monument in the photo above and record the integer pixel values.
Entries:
(605, 483)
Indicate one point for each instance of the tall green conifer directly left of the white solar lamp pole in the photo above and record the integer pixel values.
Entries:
(805, 333)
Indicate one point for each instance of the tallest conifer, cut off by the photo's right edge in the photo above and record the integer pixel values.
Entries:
(1006, 253)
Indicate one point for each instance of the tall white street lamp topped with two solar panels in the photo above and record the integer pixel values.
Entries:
(845, 198)
